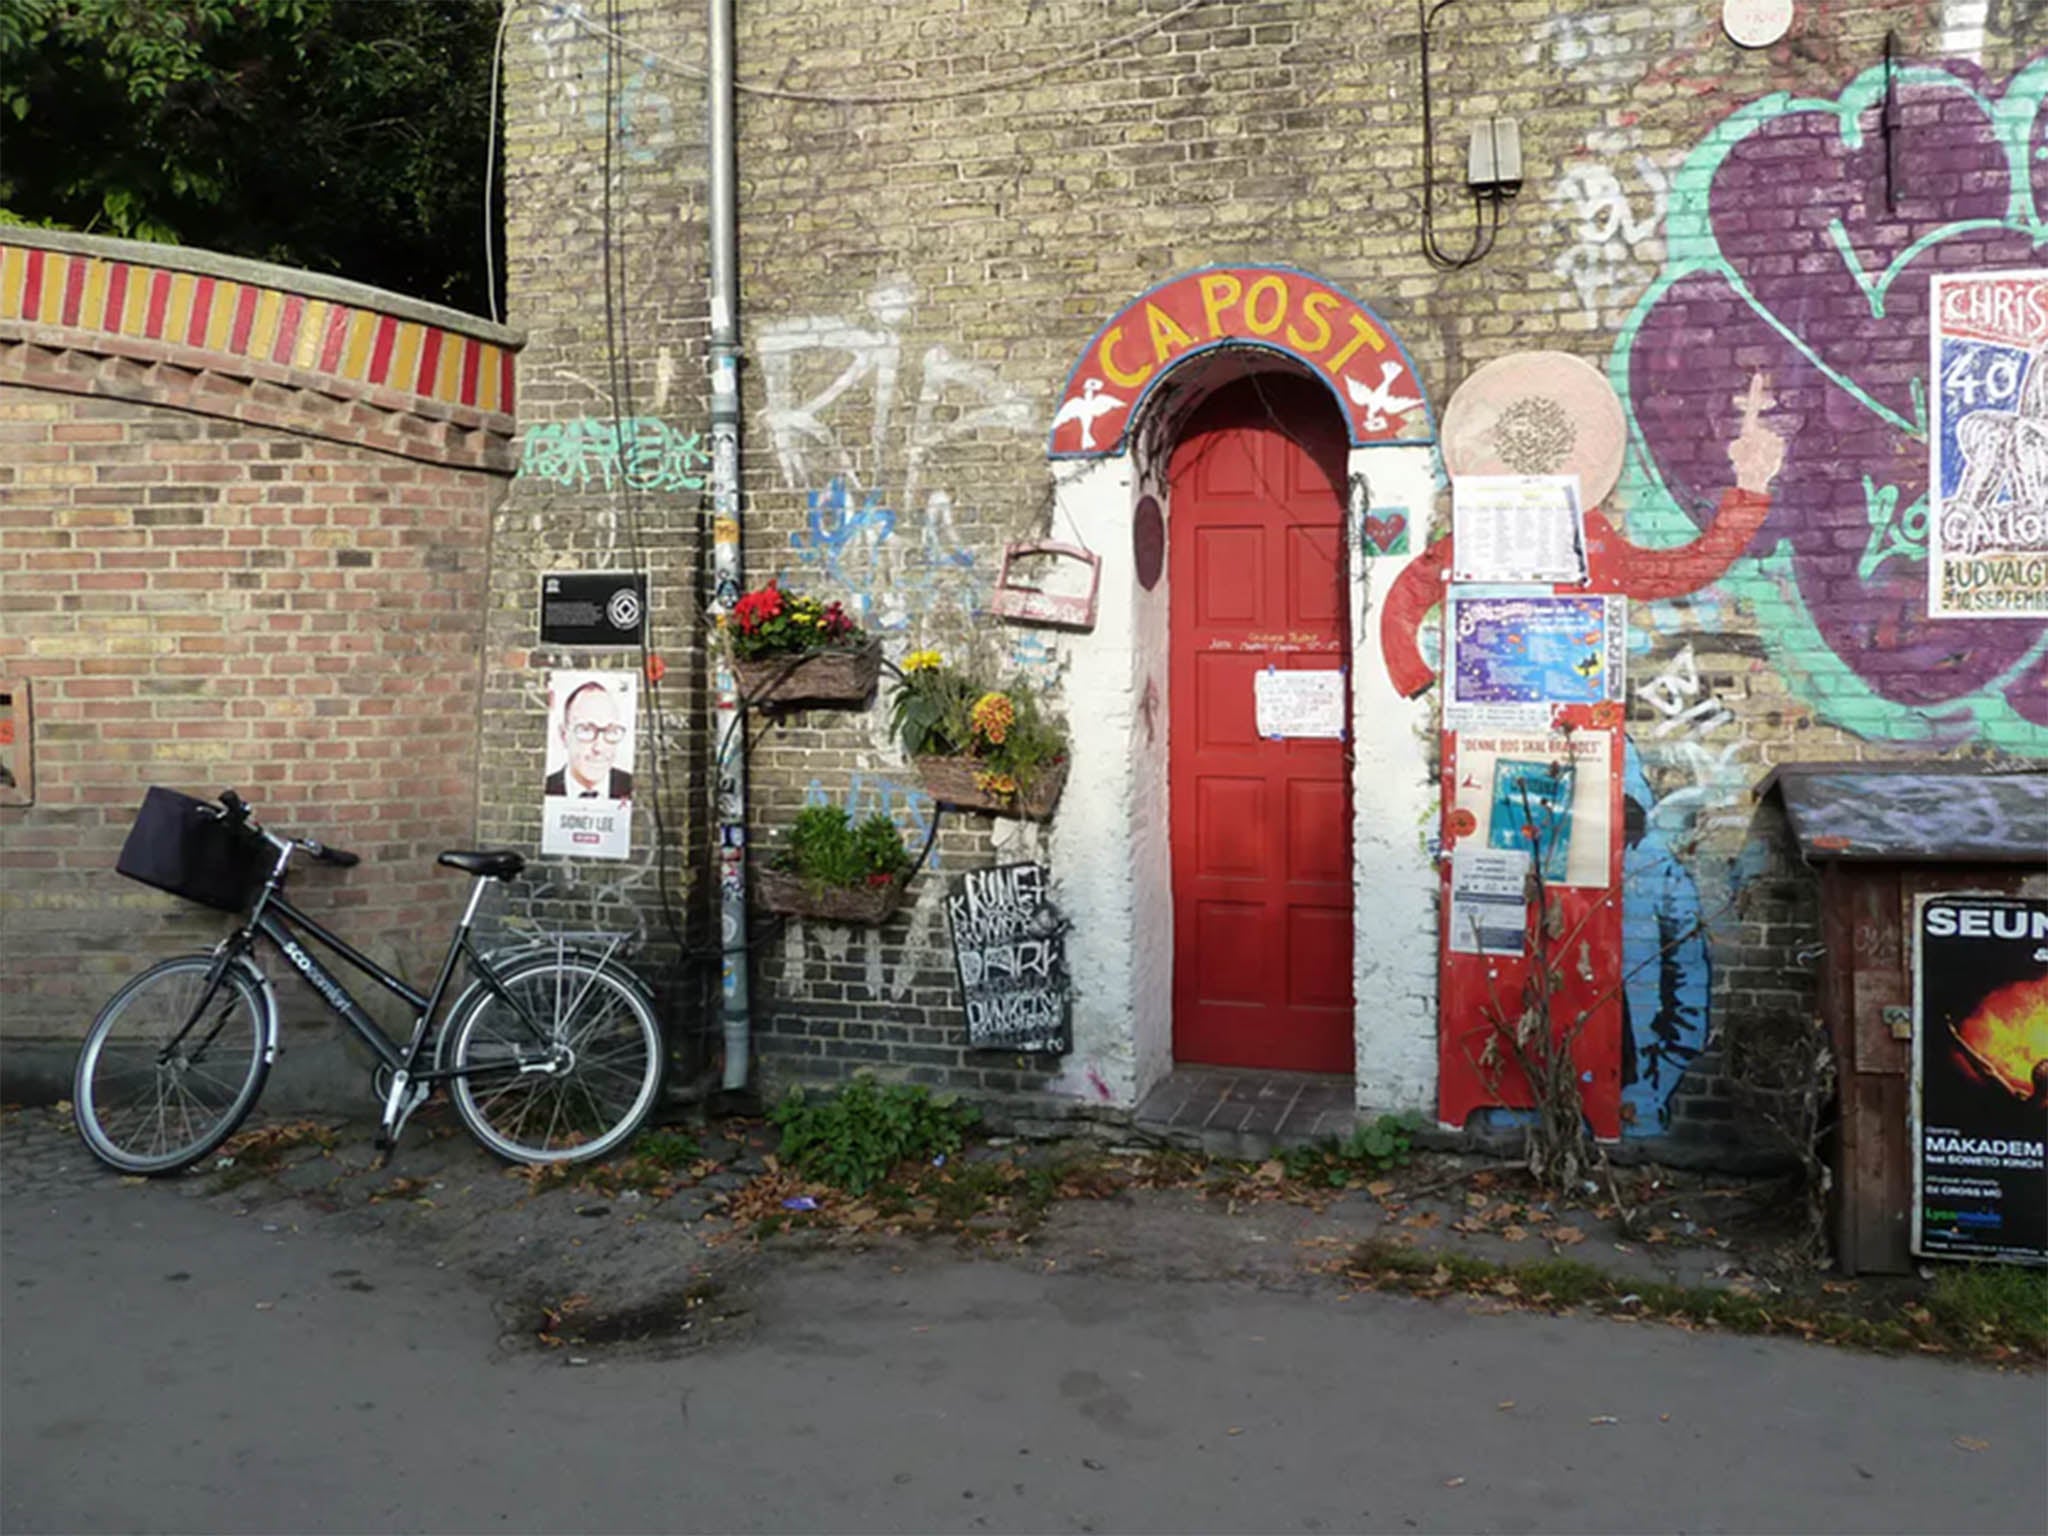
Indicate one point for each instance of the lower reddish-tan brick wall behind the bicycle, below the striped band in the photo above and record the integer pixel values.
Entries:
(214, 581)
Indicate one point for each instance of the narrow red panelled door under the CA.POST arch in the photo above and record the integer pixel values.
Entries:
(1263, 830)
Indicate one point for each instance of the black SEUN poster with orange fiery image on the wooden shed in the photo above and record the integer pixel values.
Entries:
(1981, 1078)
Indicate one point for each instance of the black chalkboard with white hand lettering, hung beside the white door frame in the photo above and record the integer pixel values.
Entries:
(1009, 945)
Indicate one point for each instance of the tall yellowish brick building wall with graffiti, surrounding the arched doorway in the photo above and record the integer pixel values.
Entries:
(939, 208)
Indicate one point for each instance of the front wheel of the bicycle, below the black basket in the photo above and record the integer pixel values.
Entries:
(159, 1089)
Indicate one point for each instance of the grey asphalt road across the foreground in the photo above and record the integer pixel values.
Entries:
(171, 1367)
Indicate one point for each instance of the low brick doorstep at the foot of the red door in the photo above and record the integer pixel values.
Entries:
(1238, 1113)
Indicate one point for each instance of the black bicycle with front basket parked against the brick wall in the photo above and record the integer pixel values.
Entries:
(552, 1054)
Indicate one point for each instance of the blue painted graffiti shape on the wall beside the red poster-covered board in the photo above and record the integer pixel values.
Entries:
(1666, 964)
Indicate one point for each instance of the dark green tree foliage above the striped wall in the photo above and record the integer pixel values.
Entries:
(341, 136)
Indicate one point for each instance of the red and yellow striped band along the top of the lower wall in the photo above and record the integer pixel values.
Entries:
(251, 321)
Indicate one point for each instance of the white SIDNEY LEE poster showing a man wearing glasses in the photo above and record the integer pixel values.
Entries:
(587, 806)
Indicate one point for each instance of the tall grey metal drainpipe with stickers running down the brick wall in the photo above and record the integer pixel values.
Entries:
(728, 574)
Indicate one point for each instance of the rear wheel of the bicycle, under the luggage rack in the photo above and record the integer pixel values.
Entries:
(562, 1068)
